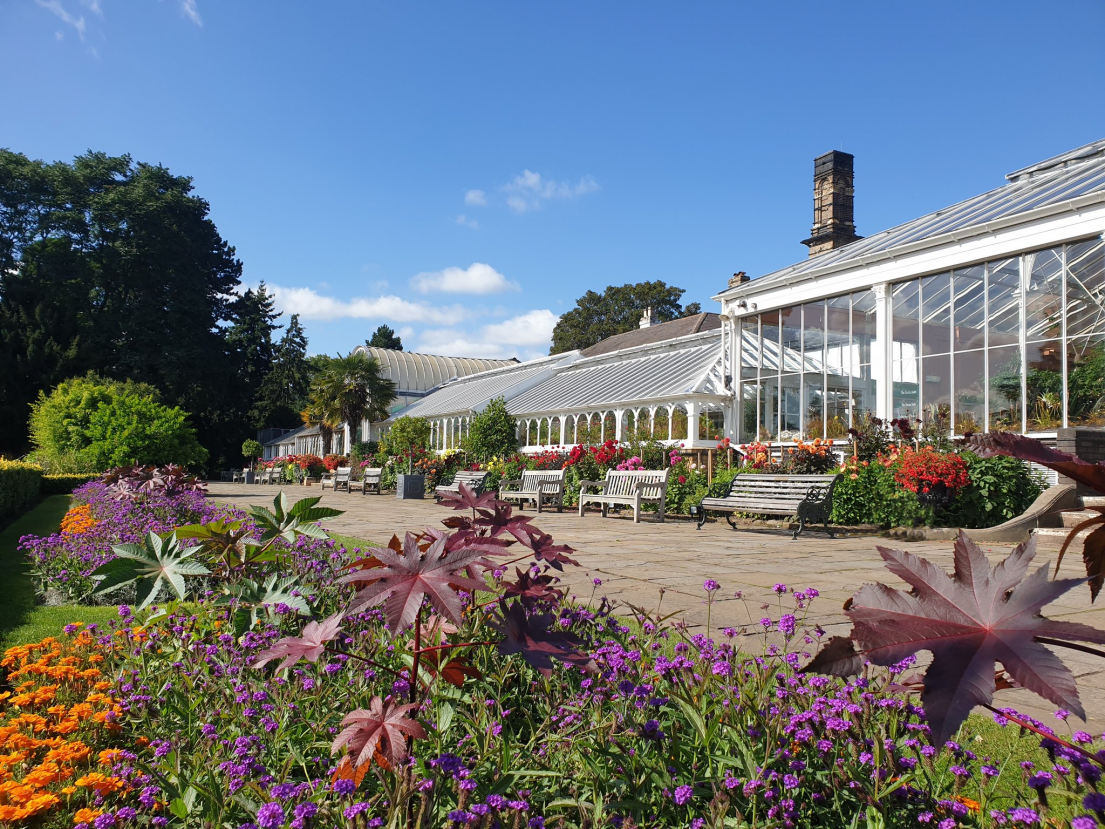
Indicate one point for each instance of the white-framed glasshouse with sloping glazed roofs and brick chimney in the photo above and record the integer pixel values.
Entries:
(990, 314)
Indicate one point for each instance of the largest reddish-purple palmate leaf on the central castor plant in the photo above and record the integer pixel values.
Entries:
(408, 579)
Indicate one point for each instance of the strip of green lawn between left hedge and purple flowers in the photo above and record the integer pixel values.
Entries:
(22, 621)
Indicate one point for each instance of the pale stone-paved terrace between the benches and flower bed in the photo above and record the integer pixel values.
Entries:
(636, 562)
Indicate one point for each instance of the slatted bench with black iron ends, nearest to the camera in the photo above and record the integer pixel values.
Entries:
(809, 498)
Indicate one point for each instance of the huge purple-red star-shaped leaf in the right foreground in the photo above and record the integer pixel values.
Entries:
(970, 622)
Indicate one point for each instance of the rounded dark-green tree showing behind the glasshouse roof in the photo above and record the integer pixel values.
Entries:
(616, 311)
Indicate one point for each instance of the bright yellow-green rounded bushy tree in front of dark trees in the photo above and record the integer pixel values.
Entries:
(91, 425)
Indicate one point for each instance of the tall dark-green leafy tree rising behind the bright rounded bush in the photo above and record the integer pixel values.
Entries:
(114, 266)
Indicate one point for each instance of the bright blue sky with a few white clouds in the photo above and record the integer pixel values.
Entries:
(465, 171)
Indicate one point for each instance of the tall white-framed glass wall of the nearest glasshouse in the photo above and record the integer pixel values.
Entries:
(1015, 344)
